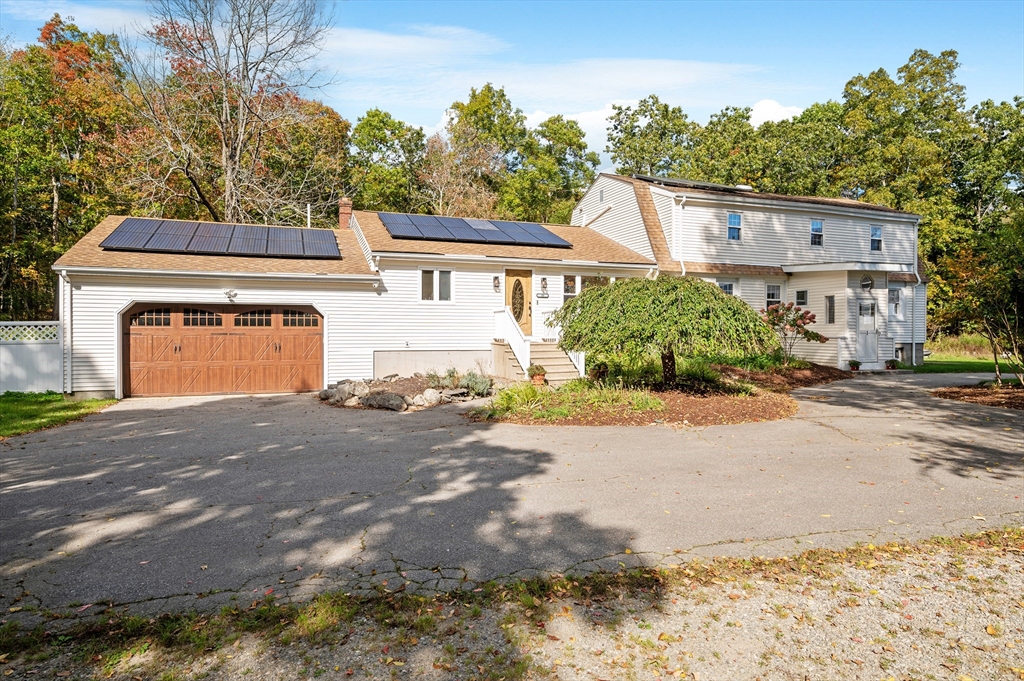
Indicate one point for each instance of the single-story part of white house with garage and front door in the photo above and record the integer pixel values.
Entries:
(149, 308)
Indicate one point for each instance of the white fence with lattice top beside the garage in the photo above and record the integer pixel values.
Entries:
(31, 357)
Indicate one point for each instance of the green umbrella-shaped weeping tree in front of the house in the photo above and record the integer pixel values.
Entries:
(668, 316)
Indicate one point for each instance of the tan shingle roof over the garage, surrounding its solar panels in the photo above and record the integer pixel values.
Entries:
(88, 253)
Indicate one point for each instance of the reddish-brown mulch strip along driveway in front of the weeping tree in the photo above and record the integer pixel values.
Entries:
(684, 409)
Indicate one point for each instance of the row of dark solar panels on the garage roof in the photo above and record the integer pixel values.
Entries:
(142, 234)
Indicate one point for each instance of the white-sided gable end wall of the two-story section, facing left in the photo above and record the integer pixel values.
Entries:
(623, 223)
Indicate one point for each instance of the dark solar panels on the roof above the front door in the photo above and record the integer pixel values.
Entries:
(430, 228)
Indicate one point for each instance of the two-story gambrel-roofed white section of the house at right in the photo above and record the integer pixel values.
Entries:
(854, 265)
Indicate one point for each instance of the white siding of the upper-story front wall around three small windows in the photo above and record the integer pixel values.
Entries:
(782, 237)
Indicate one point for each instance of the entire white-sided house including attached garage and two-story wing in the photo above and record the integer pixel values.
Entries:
(160, 308)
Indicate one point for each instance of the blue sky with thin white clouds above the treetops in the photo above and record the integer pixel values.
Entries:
(578, 59)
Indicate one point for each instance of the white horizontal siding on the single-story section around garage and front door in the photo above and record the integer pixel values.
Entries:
(359, 320)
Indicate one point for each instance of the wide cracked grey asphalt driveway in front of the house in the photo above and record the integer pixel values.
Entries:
(188, 503)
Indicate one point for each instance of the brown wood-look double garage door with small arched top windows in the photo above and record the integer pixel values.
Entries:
(204, 350)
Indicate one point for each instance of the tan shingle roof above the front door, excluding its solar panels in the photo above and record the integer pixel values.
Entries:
(588, 246)
